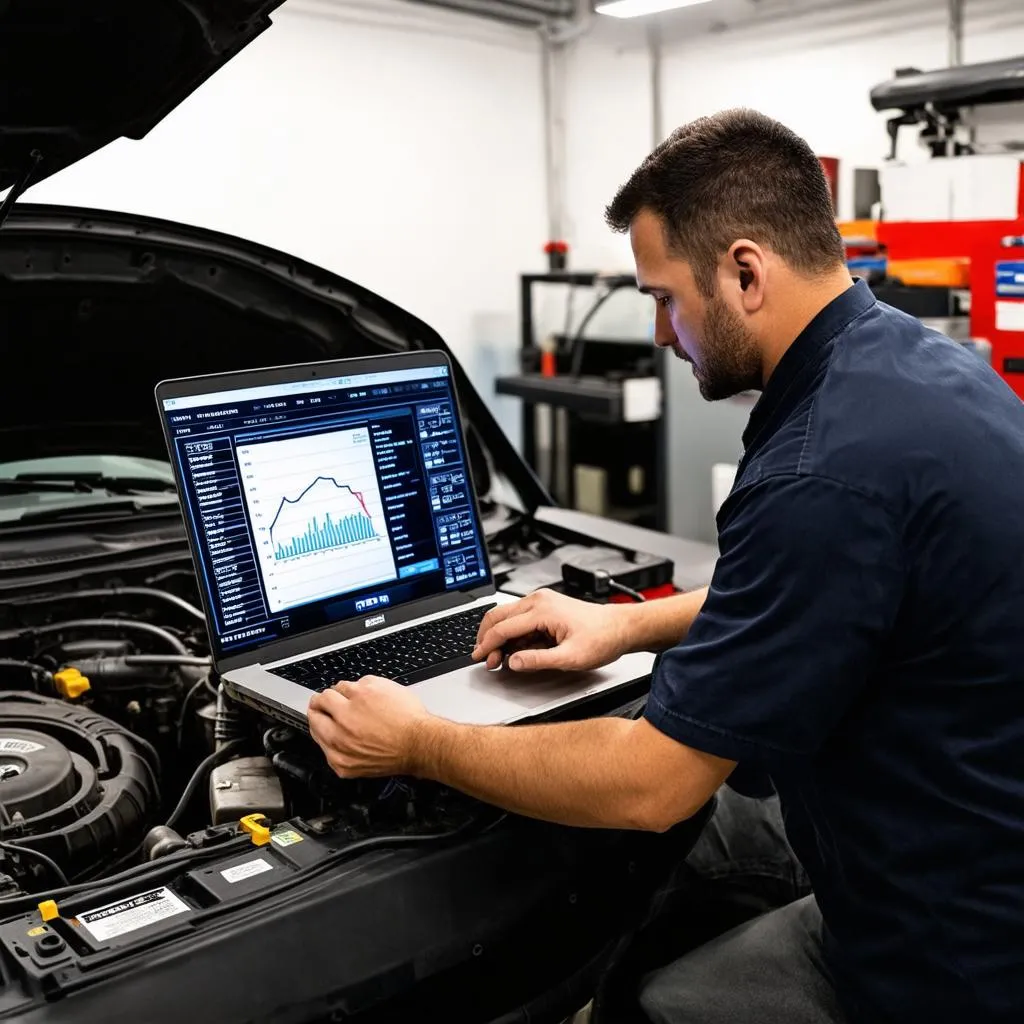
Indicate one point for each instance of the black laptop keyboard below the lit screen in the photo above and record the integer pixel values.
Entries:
(406, 656)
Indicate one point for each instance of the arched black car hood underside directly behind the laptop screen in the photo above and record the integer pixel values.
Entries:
(100, 307)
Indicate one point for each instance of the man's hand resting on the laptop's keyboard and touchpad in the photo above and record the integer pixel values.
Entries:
(552, 631)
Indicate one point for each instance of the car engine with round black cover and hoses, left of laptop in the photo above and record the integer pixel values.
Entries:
(118, 746)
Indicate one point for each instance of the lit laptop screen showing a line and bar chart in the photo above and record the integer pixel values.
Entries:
(319, 501)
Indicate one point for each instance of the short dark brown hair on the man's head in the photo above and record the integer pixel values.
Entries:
(736, 176)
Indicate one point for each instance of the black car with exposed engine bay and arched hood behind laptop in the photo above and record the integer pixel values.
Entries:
(146, 817)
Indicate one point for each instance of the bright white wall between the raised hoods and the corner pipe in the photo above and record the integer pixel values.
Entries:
(406, 155)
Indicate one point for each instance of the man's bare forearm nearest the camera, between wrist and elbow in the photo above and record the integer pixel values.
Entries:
(575, 774)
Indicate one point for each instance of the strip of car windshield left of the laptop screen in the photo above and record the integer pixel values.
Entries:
(80, 482)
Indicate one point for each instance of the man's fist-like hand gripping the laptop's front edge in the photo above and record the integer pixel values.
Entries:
(369, 729)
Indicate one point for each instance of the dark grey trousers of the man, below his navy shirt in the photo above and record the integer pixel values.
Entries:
(747, 931)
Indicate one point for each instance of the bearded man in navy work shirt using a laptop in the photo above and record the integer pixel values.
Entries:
(862, 642)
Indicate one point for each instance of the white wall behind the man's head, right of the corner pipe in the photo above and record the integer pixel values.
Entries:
(809, 63)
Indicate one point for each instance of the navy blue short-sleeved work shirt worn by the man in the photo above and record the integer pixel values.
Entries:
(864, 643)
